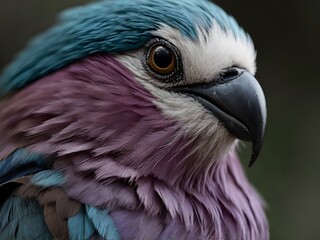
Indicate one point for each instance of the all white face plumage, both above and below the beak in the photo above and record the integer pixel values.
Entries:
(202, 61)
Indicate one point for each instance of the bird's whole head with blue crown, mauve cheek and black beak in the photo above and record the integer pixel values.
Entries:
(160, 81)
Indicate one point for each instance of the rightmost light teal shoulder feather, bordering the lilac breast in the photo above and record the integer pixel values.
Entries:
(103, 223)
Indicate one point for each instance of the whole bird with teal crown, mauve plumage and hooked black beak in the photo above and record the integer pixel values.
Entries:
(123, 121)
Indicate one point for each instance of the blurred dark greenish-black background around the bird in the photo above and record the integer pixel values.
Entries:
(287, 39)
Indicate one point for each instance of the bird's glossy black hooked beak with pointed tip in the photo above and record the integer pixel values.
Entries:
(237, 100)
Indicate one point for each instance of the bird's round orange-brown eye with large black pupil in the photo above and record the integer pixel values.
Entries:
(161, 59)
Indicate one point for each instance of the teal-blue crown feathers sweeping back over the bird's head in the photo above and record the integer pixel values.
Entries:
(109, 27)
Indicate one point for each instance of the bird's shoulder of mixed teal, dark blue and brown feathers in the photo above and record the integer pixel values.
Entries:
(34, 204)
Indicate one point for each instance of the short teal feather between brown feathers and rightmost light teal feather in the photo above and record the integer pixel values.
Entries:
(80, 227)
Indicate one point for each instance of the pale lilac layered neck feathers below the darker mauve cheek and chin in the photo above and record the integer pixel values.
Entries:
(225, 207)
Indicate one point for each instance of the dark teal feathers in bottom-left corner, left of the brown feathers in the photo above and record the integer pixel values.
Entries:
(22, 219)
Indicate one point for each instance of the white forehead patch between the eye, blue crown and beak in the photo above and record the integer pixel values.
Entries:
(213, 51)
